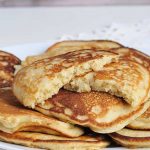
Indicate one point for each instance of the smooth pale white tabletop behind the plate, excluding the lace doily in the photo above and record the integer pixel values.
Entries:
(24, 25)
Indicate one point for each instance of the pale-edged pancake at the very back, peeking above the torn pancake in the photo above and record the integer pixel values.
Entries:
(74, 45)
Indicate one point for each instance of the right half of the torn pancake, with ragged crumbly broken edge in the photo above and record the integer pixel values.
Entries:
(124, 78)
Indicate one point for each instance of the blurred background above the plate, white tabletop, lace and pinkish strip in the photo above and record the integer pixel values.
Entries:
(35, 21)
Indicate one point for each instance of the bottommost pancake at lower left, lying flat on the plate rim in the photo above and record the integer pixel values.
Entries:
(37, 140)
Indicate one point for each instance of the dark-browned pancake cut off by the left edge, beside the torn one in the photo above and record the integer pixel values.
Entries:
(7, 63)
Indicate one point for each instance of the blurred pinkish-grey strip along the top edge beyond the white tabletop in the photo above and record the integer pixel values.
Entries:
(27, 3)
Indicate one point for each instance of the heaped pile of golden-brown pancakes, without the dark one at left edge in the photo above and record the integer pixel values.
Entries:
(56, 96)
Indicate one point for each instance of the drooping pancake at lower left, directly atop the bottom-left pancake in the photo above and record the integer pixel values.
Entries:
(14, 117)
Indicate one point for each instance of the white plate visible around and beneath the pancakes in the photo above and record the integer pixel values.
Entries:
(23, 51)
